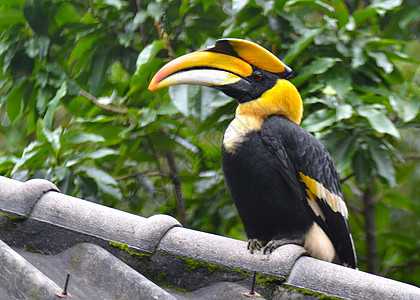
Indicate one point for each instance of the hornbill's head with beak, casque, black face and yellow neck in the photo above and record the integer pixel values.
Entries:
(241, 69)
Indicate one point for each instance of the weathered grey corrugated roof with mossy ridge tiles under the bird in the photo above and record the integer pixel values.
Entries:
(112, 254)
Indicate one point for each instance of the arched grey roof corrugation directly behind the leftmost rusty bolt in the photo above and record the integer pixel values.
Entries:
(95, 274)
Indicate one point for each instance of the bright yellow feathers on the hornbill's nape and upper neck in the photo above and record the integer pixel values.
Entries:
(282, 99)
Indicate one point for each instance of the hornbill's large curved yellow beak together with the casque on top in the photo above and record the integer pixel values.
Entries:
(227, 62)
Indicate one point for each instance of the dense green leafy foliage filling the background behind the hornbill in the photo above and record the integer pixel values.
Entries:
(75, 107)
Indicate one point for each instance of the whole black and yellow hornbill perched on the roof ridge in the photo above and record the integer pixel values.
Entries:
(280, 177)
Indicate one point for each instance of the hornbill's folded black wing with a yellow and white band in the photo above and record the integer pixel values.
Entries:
(310, 172)
